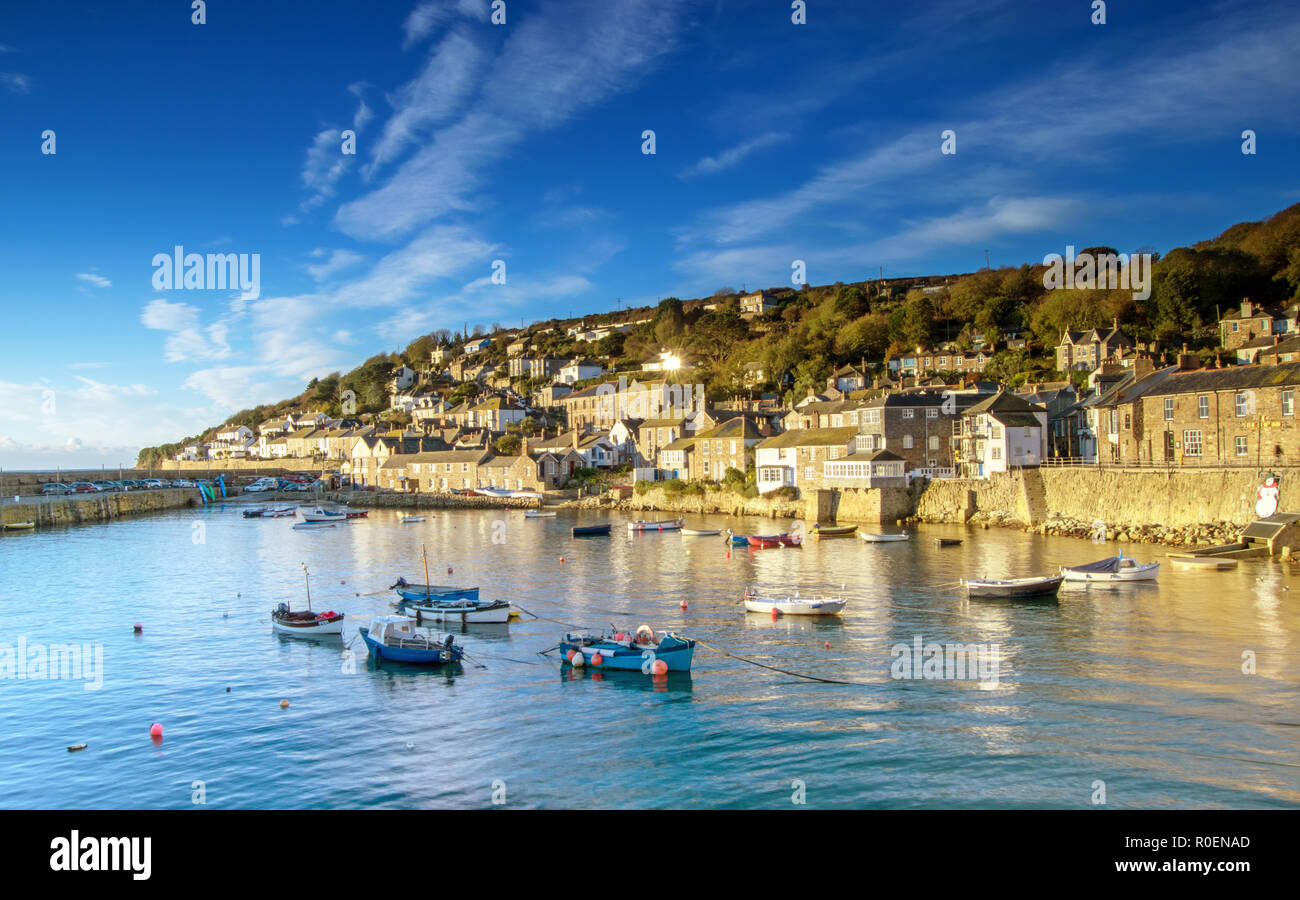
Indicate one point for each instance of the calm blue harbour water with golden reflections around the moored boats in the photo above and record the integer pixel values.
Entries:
(1139, 689)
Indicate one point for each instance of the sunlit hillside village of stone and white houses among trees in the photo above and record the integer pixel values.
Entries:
(835, 387)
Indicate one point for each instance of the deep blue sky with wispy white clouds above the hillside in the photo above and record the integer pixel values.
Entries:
(522, 142)
